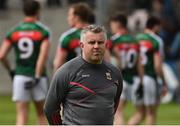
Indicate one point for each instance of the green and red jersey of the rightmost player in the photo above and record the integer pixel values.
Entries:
(149, 46)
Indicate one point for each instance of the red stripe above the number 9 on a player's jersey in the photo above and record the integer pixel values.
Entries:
(34, 35)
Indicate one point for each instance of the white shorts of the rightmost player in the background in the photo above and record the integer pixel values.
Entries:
(150, 88)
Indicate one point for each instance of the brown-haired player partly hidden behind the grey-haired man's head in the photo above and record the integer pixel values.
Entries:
(79, 16)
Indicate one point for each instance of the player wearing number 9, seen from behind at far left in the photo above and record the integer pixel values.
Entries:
(30, 40)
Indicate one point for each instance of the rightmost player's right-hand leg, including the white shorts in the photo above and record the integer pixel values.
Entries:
(150, 99)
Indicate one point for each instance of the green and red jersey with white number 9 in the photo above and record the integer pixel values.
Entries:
(26, 38)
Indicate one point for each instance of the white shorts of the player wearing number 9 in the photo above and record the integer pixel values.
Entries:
(37, 93)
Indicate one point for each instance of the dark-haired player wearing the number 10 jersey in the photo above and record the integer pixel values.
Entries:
(126, 50)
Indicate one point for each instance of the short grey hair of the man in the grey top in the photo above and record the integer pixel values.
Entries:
(94, 29)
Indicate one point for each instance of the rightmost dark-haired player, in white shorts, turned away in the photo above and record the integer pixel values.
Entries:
(152, 62)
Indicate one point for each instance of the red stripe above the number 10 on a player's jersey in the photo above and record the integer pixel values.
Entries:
(127, 46)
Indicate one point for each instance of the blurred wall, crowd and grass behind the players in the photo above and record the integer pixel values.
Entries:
(53, 15)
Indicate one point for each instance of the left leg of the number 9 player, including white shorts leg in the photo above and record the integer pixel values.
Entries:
(22, 97)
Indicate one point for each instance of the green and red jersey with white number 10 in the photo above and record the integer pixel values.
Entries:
(128, 51)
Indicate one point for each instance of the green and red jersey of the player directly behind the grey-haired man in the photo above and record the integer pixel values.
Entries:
(70, 41)
